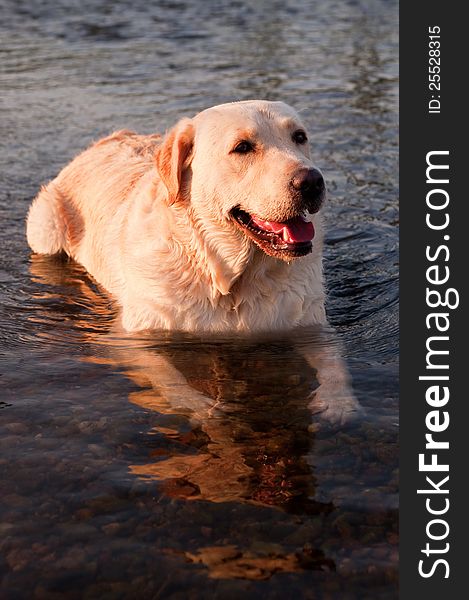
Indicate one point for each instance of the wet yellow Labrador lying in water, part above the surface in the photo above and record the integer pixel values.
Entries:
(212, 228)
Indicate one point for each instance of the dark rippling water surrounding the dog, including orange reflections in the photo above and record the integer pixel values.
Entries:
(108, 489)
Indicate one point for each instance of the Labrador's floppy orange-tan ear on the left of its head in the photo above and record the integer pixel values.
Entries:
(174, 155)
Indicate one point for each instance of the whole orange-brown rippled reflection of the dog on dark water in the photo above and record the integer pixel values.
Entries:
(251, 405)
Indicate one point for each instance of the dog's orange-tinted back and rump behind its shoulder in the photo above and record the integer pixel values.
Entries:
(81, 211)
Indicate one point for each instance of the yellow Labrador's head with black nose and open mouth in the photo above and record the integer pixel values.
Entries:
(245, 169)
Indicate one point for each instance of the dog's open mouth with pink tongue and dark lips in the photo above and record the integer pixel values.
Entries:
(289, 239)
